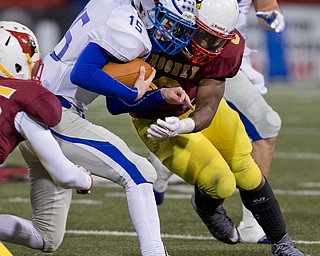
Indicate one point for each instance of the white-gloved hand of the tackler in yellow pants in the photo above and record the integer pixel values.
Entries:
(164, 129)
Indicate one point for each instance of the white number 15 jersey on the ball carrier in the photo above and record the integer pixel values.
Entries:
(112, 24)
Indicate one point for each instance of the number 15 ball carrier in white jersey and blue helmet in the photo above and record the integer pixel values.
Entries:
(109, 30)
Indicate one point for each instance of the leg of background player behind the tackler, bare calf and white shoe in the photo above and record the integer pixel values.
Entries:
(262, 124)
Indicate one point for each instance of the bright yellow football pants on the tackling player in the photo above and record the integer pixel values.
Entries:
(216, 159)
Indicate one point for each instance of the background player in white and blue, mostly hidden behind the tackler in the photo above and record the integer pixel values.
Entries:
(244, 94)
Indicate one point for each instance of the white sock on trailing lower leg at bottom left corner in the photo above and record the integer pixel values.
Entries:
(17, 230)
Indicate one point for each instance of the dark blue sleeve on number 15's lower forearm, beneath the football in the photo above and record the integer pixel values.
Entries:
(118, 106)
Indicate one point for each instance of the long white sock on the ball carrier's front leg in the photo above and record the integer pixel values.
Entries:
(144, 215)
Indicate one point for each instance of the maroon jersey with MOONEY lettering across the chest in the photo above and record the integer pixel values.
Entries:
(173, 71)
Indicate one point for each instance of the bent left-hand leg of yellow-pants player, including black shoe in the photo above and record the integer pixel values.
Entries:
(194, 159)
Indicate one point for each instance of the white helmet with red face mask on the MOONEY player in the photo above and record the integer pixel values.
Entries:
(216, 23)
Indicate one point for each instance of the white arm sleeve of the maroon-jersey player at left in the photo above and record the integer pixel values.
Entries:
(63, 172)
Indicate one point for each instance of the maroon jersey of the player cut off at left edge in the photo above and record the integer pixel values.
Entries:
(28, 96)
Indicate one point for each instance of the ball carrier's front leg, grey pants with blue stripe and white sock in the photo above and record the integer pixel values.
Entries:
(108, 156)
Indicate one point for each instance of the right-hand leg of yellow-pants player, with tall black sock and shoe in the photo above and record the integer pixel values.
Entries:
(255, 191)
